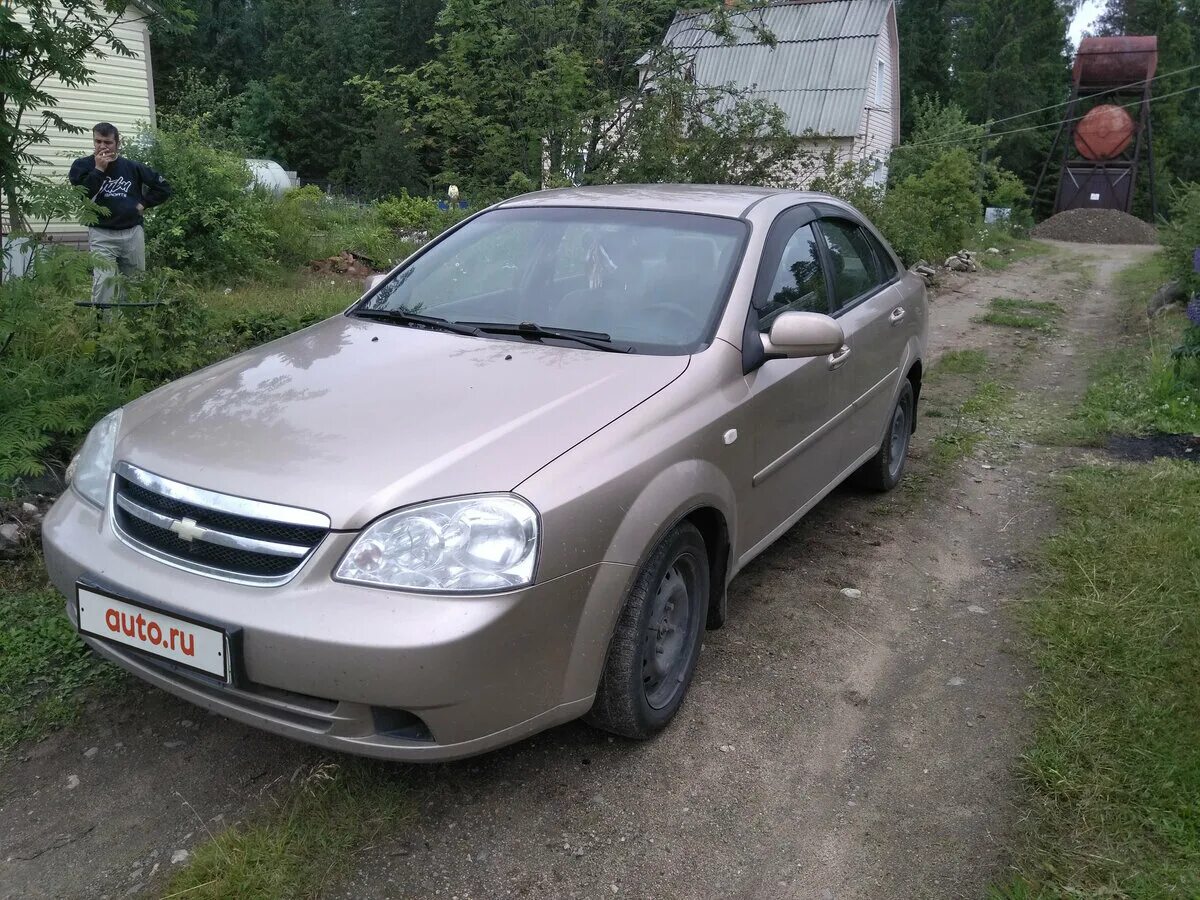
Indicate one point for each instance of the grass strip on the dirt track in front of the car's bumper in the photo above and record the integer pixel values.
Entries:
(305, 845)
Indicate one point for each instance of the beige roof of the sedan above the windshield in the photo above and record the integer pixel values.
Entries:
(731, 201)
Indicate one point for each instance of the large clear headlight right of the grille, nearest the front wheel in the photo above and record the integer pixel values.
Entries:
(470, 545)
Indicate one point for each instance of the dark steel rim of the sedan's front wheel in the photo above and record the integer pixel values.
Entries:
(669, 631)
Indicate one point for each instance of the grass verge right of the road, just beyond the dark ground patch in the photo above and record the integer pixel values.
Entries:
(1135, 389)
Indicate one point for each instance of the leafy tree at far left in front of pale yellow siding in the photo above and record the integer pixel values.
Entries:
(44, 40)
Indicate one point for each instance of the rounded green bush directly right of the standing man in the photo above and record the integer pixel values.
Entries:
(214, 226)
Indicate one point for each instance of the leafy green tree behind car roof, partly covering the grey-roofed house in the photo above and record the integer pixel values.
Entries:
(554, 92)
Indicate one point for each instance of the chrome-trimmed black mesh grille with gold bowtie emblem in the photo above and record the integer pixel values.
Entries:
(215, 535)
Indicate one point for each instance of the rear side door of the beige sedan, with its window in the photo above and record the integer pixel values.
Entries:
(868, 305)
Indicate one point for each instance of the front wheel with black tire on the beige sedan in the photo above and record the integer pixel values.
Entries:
(656, 645)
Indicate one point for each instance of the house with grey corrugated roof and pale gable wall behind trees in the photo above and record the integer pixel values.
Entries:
(835, 70)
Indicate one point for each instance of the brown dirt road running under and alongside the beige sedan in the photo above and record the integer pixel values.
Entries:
(831, 747)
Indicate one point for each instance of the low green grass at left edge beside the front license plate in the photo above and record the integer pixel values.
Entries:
(46, 670)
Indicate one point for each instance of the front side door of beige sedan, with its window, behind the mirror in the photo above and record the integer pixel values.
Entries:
(788, 407)
